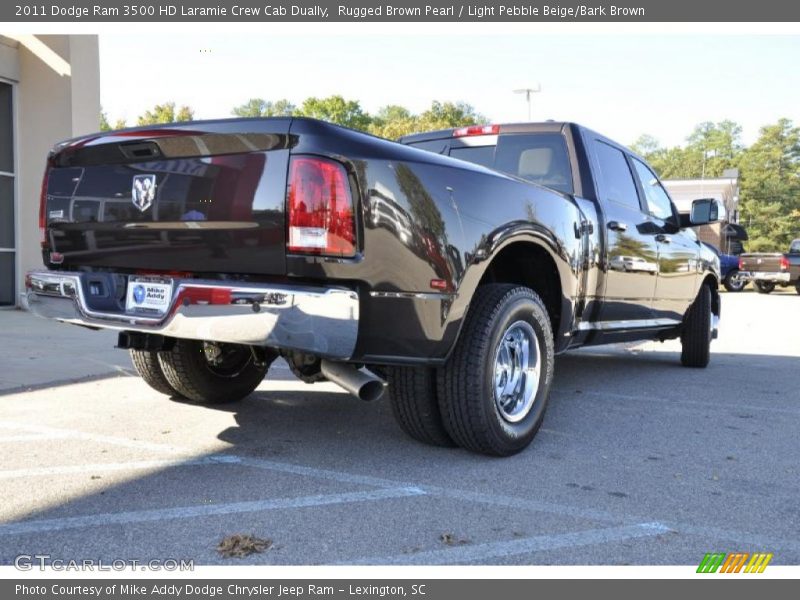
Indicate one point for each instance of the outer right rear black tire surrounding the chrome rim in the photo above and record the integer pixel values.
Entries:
(466, 384)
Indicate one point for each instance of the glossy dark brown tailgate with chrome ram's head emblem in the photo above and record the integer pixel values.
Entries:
(205, 196)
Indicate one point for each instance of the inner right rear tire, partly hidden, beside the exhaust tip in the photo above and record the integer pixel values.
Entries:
(412, 392)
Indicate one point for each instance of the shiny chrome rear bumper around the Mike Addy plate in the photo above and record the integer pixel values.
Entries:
(321, 321)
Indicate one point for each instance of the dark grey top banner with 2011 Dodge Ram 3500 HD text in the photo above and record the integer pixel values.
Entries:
(621, 11)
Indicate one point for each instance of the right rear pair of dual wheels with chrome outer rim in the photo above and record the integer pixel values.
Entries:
(490, 396)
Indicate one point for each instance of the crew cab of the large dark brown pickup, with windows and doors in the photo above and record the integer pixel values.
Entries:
(645, 263)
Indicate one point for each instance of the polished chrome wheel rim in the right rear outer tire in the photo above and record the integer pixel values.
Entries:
(517, 369)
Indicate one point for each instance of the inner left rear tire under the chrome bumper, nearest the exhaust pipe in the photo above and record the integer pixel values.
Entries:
(187, 369)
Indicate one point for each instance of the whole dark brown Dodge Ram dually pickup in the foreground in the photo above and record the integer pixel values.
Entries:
(215, 247)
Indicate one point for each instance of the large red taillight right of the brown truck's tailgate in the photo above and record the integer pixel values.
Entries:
(320, 208)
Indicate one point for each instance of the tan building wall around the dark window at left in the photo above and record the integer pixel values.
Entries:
(57, 96)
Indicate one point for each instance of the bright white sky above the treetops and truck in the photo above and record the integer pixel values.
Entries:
(620, 85)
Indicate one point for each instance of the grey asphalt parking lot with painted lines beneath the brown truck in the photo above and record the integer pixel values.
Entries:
(639, 461)
